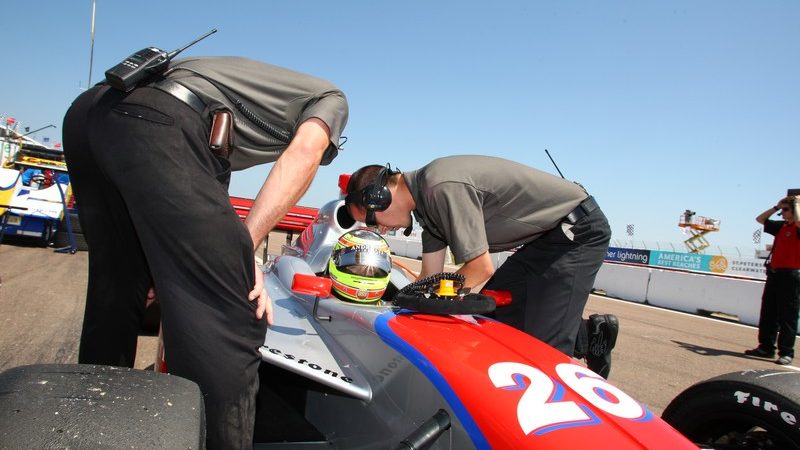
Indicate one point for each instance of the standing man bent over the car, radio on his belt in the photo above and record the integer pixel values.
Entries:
(150, 171)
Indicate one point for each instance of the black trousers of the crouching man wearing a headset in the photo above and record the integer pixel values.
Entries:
(550, 280)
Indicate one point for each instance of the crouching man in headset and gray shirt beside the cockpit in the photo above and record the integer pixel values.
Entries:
(478, 205)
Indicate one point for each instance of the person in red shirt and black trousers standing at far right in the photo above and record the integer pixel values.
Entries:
(780, 302)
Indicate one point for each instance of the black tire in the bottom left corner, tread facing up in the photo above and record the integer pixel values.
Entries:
(89, 407)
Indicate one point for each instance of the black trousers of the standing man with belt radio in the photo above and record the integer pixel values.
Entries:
(153, 204)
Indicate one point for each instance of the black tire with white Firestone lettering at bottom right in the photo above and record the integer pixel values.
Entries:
(757, 409)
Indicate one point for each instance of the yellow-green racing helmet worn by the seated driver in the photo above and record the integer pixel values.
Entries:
(359, 266)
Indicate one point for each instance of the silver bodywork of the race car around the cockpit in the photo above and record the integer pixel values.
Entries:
(375, 397)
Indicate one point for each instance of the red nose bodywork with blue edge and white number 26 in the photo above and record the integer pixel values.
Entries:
(512, 391)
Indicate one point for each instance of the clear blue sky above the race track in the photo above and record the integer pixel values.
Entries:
(655, 107)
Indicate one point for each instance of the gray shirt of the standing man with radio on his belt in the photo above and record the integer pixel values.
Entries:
(280, 97)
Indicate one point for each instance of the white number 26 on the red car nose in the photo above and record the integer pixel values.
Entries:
(542, 407)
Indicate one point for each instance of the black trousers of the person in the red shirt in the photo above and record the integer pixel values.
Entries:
(780, 304)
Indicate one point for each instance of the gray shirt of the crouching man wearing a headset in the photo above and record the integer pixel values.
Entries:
(479, 203)
